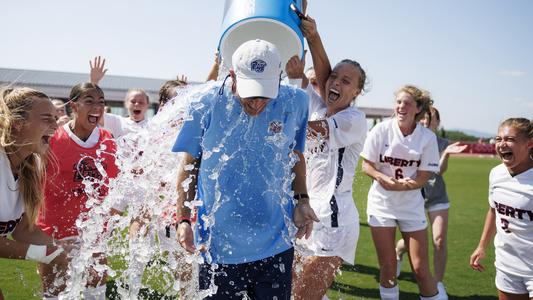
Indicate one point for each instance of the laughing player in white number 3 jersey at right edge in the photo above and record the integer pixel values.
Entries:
(510, 216)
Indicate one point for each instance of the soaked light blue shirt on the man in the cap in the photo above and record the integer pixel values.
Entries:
(245, 172)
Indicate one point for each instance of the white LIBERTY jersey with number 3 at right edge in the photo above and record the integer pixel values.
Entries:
(512, 200)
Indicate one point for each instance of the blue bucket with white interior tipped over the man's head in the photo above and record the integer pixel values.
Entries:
(274, 21)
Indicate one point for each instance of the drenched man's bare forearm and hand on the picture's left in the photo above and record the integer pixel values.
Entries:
(187, 182)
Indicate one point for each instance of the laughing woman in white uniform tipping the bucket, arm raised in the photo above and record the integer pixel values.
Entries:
(335, 137)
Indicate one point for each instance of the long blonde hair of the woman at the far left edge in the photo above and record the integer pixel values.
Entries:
(15, 105)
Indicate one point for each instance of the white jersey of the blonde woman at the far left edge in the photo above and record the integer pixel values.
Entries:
(11, 204)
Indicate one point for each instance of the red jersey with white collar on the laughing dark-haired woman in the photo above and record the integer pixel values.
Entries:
(65, 195)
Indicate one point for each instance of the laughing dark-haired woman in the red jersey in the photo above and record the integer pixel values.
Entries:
(81, 150)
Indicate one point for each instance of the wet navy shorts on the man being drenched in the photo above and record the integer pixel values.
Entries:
(261, 279)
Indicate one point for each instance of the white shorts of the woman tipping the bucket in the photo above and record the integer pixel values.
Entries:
(338, 241)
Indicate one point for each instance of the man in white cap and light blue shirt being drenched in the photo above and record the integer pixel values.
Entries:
(243, 152)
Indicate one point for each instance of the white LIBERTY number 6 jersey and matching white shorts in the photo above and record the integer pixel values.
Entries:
(399, 156)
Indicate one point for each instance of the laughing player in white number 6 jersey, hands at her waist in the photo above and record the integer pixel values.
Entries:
(400, 155)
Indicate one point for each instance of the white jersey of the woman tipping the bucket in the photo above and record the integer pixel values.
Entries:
(331, 163)
